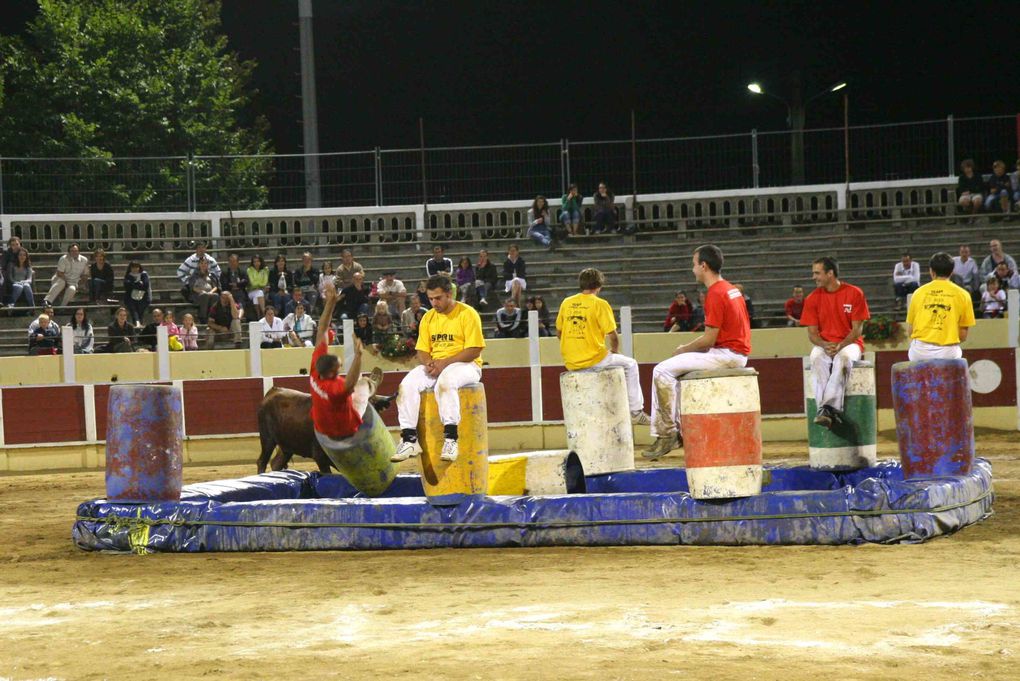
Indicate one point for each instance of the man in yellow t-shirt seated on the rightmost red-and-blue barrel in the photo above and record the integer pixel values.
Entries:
(941, 315)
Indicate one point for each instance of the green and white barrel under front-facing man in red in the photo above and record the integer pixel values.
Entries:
(854, 444)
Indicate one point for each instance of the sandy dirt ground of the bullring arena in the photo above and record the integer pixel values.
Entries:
(945, 610)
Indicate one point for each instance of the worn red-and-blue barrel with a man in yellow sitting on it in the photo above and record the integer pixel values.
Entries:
(935, 424)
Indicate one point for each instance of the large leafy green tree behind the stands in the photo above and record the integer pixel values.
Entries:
(96, 82)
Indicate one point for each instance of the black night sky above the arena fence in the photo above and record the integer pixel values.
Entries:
(496, 73)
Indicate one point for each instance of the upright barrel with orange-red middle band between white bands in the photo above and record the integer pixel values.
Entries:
(722, 420)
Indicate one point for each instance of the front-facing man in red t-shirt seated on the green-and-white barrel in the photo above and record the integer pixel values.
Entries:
(835, 315)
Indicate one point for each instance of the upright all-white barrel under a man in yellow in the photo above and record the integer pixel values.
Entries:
(597, 417)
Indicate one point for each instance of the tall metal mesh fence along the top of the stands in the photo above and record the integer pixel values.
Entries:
(458, 175)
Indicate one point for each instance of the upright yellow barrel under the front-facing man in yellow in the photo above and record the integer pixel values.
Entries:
(450, 484)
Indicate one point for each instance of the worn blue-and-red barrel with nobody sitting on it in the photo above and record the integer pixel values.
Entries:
(144, 444)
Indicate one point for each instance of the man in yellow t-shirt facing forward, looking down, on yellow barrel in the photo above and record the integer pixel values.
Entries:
(450, 344)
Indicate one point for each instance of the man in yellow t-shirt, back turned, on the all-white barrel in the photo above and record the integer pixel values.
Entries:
(584, 325)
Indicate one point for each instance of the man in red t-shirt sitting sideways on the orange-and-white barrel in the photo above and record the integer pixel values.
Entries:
(725, 345)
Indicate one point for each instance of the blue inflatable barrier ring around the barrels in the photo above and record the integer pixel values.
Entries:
(297, 511)
